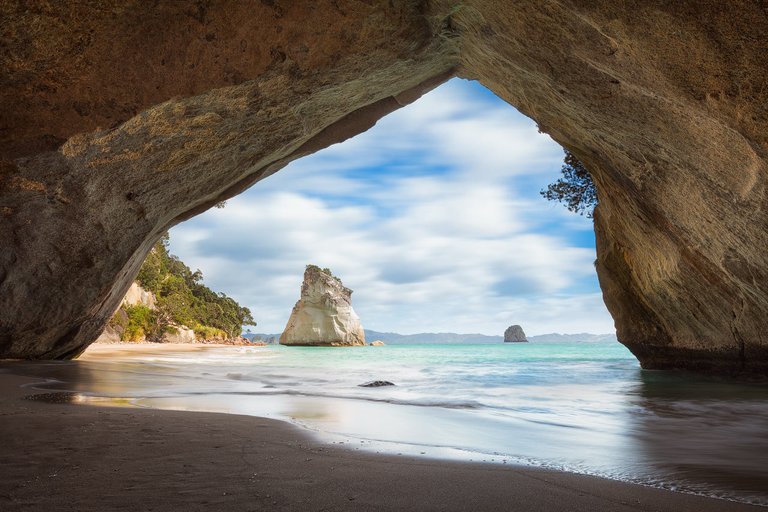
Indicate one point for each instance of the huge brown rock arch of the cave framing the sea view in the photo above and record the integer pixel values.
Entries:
(120, 119)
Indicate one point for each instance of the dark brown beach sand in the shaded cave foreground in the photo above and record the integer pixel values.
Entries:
(61, 456)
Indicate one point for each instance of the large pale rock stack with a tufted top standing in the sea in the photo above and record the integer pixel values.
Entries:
(323, 316)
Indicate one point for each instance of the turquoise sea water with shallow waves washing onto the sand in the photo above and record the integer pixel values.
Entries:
(579, 407)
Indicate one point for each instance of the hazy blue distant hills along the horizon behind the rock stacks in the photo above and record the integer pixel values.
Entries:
(393, 338)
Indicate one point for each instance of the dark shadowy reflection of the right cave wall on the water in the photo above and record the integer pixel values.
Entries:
(707, 434)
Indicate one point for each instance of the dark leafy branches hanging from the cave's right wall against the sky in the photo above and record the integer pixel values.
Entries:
(575, 188)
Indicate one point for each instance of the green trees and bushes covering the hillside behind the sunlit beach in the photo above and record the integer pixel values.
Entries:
(182, 299)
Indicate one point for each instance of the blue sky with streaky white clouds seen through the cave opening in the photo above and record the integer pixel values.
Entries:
(433, 217)
